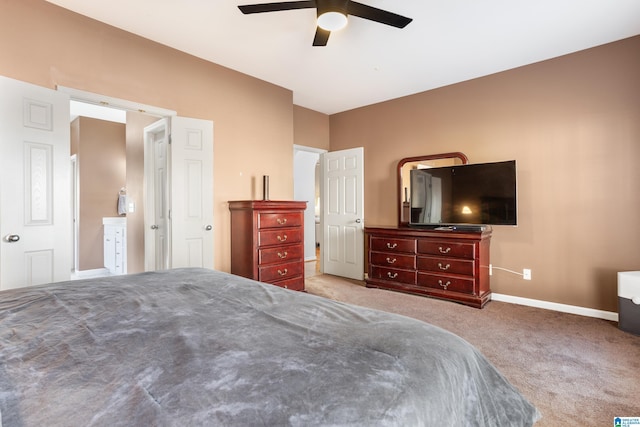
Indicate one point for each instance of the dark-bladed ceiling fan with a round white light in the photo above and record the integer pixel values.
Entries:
(332, 14)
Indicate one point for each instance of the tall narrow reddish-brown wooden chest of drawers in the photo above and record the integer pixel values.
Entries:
(267, 241)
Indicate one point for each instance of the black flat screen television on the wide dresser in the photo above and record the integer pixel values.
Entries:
(464, 195)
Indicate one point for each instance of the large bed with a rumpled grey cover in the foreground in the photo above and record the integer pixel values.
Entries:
(191, 347)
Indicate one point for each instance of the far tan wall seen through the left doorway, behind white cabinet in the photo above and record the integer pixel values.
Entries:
(101, 157)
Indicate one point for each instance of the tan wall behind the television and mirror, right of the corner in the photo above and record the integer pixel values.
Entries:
(573, 126)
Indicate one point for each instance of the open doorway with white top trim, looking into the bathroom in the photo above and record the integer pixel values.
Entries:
(109, 178)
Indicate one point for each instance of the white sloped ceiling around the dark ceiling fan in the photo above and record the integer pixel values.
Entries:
(448, 41)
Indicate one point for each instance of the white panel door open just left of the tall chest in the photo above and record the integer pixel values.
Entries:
(191, 192)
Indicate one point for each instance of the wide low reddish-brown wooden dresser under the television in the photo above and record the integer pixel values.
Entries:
(450, 264)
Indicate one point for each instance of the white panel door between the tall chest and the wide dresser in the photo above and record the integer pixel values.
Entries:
(343, 213)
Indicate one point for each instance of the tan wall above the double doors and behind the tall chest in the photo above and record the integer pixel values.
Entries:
(253, 120)
